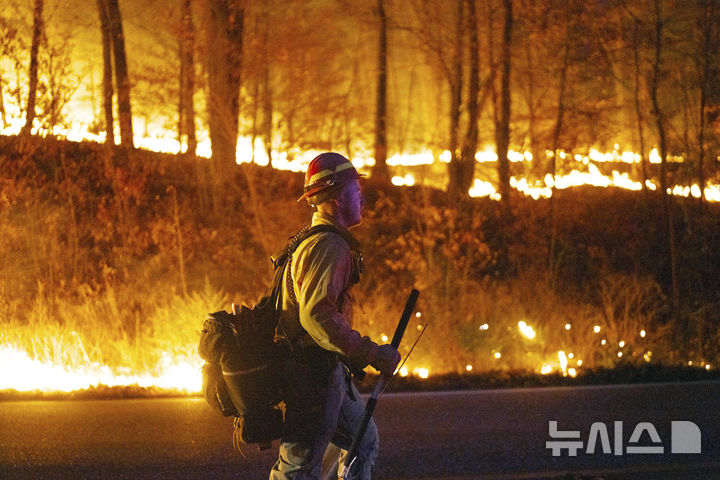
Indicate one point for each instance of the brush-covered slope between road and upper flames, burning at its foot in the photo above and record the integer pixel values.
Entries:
(112, 261)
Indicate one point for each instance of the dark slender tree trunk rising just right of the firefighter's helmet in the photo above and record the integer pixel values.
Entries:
(380, 169)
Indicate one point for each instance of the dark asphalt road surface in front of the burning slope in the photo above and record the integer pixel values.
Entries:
(464, 435)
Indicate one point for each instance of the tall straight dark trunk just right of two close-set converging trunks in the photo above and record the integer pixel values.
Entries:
(502, 130)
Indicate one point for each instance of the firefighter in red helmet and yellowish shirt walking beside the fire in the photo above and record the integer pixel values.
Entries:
(322, 404)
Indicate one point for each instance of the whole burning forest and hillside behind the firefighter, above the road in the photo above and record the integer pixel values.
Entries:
(546, 173)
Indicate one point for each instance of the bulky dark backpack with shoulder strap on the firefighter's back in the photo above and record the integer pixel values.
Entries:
(241, 376)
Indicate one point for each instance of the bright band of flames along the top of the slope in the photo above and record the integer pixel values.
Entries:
(247, 151)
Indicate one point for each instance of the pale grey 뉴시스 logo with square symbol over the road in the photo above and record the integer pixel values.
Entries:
(685, 437)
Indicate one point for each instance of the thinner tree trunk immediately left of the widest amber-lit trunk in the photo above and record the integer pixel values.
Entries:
(187, 79)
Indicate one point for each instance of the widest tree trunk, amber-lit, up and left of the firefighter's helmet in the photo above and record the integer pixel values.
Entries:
(224, 46)
